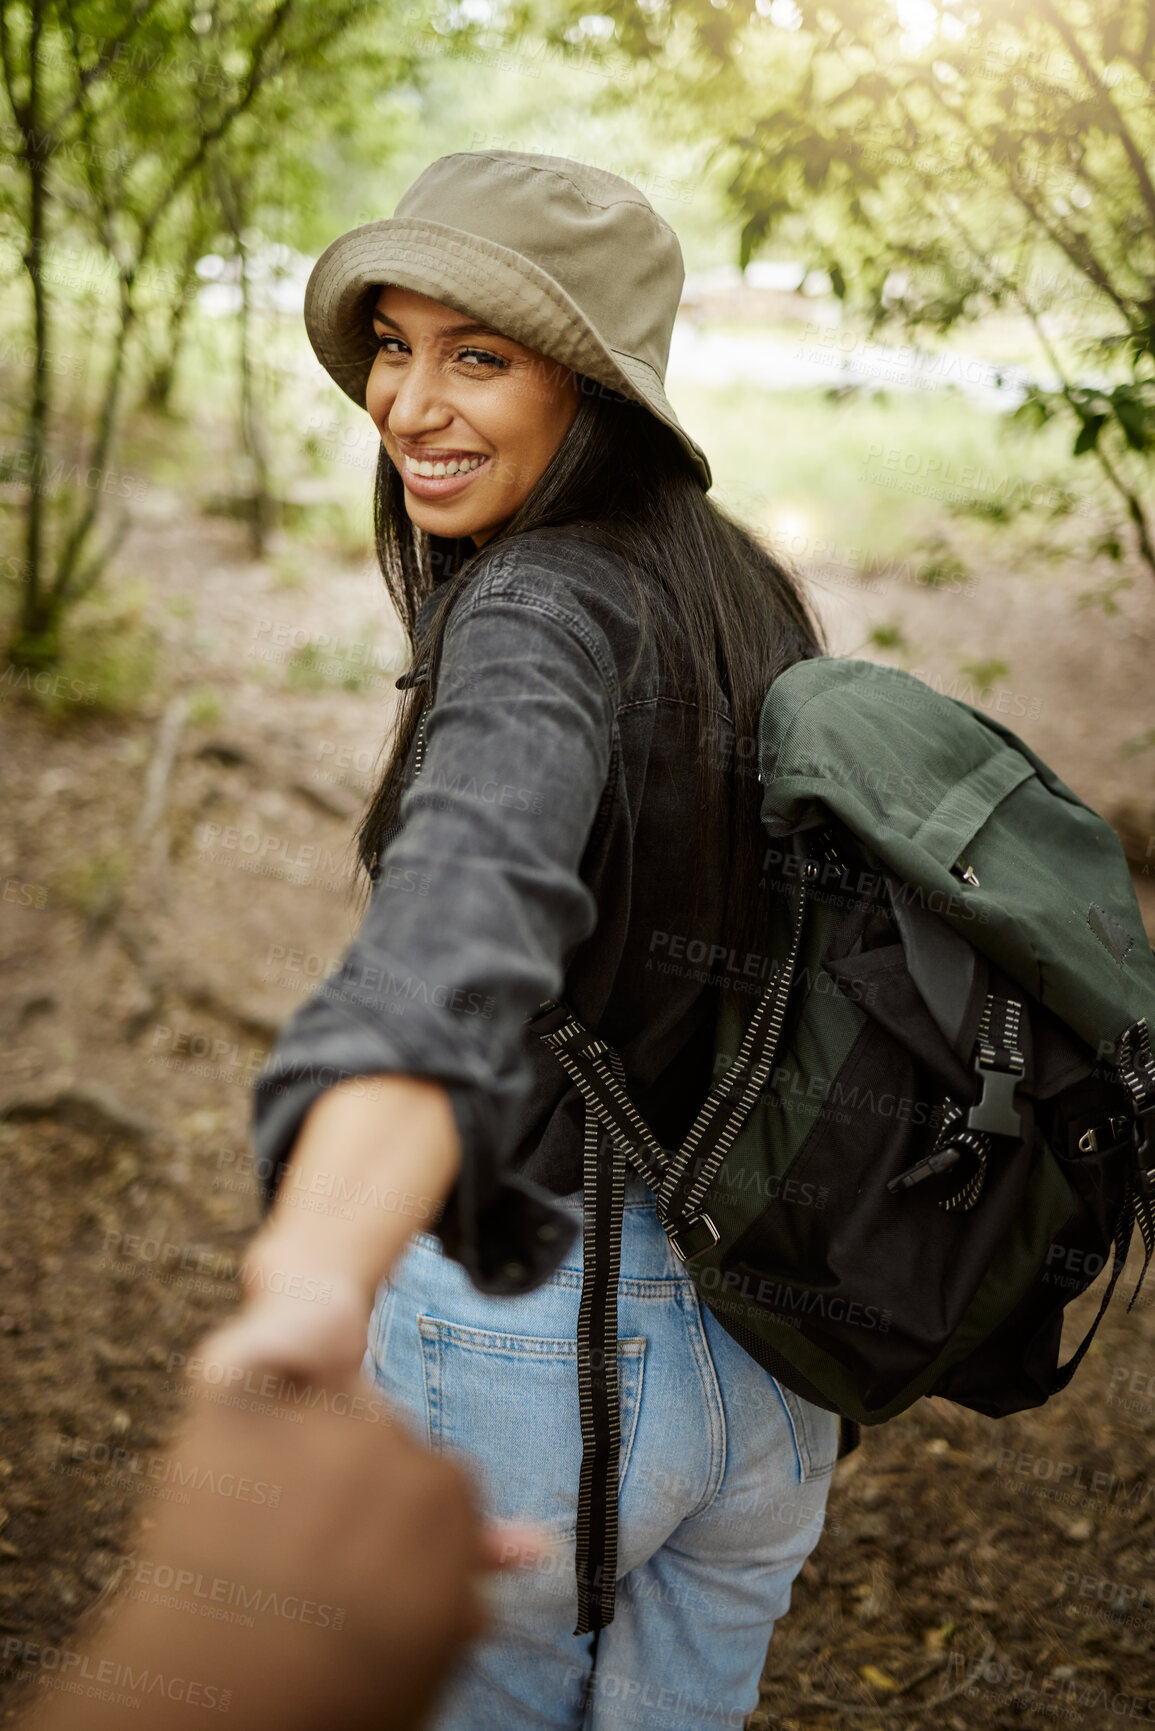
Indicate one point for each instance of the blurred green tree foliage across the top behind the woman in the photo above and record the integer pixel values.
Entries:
(934, 158)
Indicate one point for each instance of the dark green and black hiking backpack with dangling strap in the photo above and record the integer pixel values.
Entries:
(938, 1123)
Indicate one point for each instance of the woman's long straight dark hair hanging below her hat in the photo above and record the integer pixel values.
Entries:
(744, 619)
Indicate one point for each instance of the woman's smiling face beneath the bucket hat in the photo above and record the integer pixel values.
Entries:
(481, 415)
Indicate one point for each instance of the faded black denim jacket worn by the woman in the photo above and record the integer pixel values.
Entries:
(545, 851)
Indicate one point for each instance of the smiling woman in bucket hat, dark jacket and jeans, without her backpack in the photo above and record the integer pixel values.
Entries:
(565, 816)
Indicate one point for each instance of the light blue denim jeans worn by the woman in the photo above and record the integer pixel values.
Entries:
(723, 1486)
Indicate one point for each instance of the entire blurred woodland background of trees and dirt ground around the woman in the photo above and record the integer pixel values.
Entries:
(919, 344)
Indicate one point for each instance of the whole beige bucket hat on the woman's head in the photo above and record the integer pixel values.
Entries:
(565, 259)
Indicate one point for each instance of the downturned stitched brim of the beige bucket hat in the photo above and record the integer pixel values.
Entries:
(481, 280)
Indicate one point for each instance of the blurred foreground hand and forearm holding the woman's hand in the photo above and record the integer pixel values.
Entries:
(325, 1569)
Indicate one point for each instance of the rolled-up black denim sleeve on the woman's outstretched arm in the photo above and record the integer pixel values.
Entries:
(477, 910)
